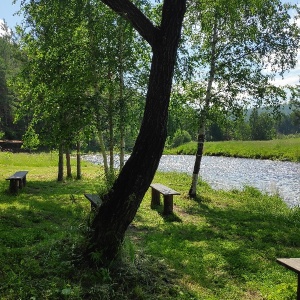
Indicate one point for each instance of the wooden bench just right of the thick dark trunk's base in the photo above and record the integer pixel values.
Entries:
(168, 193)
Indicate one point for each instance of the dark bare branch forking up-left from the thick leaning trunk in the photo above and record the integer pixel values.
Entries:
(140, 22)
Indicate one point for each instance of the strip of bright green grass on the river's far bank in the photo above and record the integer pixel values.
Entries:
(281, 149)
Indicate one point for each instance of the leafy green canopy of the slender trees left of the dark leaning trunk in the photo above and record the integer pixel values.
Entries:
(78, 75)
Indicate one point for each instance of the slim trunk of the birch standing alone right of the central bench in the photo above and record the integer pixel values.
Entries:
(201, 135)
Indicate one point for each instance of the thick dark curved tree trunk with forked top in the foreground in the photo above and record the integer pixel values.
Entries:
(121, 203)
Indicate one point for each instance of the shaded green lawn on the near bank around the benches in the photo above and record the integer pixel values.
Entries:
(223, 245)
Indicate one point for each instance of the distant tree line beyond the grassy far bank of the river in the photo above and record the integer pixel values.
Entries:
(254, 124)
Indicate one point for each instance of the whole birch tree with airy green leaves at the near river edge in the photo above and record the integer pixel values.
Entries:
(242, 45)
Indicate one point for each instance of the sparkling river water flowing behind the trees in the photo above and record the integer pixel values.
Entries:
(235, 173)
